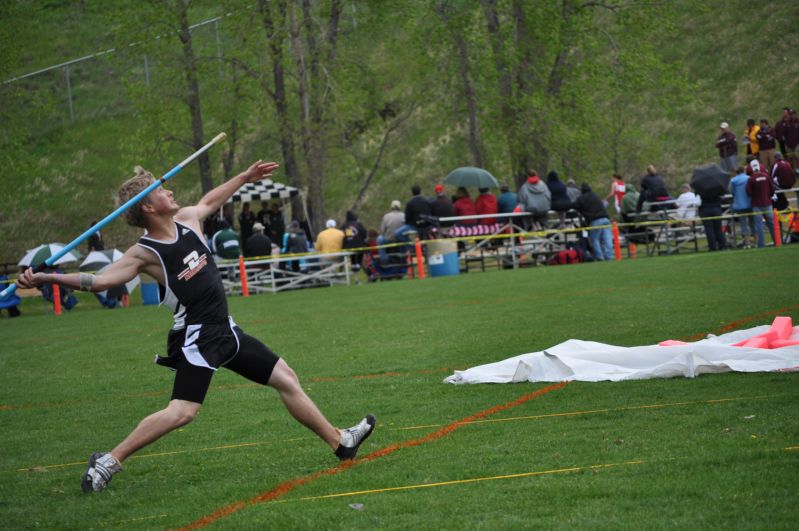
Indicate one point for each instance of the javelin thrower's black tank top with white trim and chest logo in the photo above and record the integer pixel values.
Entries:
(193, 288)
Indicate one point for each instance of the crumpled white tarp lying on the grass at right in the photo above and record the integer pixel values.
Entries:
(589, 361)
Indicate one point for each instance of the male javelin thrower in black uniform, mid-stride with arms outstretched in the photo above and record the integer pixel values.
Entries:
(204, 337)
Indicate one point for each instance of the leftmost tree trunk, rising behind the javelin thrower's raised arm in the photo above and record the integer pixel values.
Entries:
(193, 96)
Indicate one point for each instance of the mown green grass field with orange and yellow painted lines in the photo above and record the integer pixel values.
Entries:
(718, 451)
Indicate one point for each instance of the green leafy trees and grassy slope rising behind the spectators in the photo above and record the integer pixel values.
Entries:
(595, 88)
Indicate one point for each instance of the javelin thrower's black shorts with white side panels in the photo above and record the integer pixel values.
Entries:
(225, 346)
